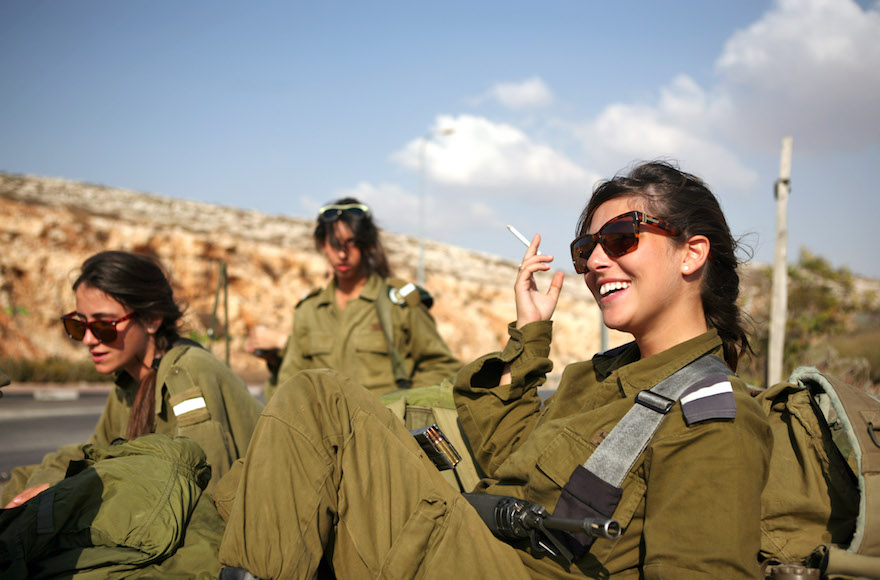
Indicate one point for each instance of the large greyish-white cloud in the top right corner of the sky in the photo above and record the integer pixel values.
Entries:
(807, 68)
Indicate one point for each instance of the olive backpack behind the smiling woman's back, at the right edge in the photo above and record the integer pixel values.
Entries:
(821, 504)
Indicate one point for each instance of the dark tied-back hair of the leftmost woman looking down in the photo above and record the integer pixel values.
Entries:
(138, 283)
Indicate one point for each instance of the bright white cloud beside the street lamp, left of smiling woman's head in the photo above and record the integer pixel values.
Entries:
(483, 154)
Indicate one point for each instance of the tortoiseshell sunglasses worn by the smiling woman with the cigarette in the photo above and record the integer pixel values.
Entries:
(619, 236)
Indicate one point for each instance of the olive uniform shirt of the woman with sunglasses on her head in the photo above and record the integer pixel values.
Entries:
(352, 341)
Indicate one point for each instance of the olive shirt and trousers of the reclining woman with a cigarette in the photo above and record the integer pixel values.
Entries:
(332, 470)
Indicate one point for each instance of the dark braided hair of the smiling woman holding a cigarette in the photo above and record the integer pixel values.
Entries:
(685, 200)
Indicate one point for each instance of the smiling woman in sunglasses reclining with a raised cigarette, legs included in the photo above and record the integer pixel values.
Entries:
(657, 254)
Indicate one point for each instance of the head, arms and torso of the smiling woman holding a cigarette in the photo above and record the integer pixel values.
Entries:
(657, 255)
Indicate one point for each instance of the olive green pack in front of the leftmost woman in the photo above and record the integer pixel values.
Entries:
(129, 509)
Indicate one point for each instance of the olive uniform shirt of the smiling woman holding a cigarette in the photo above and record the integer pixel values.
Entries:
(691, 505)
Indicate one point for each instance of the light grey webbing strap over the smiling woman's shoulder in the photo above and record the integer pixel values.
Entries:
(618, 452)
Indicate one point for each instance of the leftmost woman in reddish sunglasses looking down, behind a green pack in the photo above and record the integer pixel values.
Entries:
(128, 319)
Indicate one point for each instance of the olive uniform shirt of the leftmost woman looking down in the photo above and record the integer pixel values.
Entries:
(197, 396)
